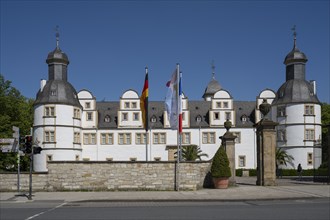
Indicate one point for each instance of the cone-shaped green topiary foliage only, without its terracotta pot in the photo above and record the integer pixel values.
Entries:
(220, 164)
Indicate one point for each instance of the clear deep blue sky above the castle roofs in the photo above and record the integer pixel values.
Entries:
(109, 43)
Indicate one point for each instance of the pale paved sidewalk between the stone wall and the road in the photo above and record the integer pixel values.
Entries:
(245, 190)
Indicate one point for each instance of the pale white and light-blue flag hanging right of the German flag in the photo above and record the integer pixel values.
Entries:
(172, 101)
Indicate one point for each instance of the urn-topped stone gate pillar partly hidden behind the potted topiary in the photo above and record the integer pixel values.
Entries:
(228, 141)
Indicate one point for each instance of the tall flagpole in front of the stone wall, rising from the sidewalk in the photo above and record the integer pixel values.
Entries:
(178, 133)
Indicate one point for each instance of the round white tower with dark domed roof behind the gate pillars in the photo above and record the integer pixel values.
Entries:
(298, 111)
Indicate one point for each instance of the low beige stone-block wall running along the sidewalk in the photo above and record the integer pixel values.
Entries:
(101, 176)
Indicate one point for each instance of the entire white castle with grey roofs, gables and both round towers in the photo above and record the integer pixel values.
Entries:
(71, 126)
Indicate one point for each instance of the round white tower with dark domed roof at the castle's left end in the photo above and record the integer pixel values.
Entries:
(57, 114)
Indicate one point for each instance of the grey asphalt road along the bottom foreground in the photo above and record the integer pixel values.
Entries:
(316, 209)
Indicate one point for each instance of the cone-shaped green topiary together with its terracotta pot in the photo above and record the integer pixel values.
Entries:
(220, 169)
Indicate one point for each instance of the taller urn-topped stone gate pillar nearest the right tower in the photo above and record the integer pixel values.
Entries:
(266, 148)
